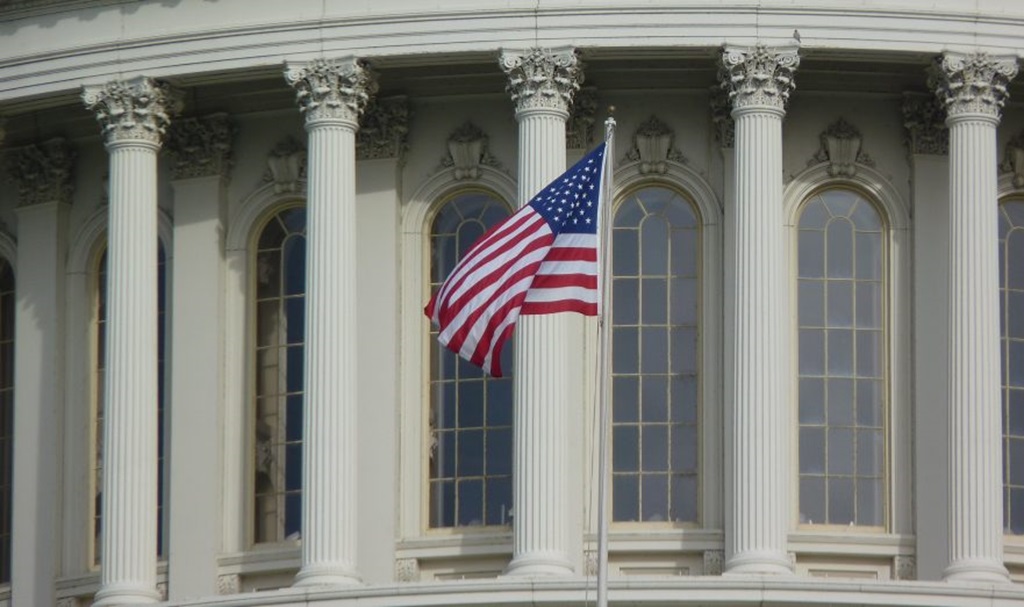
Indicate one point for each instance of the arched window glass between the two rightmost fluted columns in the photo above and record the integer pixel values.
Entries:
(842, 361)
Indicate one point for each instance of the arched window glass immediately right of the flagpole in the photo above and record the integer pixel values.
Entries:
(656, 358)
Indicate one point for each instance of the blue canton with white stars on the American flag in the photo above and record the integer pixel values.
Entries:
(570, 205)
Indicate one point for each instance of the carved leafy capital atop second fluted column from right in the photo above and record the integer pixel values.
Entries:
(759, 76)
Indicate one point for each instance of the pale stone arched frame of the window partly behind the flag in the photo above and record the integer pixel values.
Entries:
(417, 220)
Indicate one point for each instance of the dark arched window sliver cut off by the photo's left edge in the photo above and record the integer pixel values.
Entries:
(7, 414)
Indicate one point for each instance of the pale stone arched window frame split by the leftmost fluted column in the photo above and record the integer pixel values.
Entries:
(84, 253)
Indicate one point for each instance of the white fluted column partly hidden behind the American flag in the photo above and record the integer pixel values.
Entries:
(542, 84)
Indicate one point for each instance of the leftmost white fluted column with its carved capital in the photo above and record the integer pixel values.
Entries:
(134, 115)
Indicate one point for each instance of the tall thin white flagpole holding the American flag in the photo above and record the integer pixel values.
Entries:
(604, 369)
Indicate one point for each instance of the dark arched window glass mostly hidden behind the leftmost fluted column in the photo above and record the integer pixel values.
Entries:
(162, 357)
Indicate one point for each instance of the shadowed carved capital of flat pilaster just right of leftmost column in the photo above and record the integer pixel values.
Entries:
(200, 147)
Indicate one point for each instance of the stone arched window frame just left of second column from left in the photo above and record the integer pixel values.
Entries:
(244, 227)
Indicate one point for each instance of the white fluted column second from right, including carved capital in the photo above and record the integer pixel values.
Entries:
(759, 81)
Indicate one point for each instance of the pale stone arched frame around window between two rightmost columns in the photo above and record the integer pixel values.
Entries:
(895, 216)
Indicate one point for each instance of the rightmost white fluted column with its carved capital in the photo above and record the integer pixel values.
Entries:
(974, 89)
